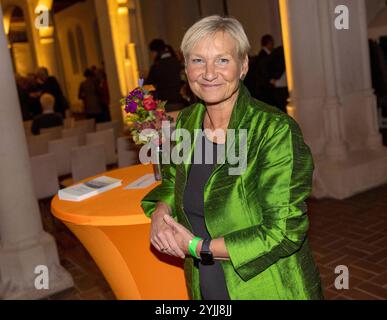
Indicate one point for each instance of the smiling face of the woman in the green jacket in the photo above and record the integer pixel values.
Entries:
(214, 69)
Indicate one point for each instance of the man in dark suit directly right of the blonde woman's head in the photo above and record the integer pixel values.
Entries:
(258, 79)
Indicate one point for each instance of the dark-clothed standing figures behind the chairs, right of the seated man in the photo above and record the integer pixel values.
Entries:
(94, 92)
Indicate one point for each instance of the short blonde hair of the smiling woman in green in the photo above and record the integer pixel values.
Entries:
(211, 25)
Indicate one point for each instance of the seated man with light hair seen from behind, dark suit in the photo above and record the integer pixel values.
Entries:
(48, 118)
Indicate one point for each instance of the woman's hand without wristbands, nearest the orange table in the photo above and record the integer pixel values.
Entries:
(161, 236)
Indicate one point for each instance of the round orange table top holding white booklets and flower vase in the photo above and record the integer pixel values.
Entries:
(111, 208)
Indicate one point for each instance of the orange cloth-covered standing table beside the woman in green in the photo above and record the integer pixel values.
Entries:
(113, 228)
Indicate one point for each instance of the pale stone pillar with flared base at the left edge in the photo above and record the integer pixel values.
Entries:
(24, 245)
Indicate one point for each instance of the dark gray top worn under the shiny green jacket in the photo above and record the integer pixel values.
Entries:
(212, 281)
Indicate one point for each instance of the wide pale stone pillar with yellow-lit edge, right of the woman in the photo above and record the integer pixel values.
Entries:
(331, 97)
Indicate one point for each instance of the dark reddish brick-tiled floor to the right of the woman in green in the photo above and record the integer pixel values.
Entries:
(352, 233)
